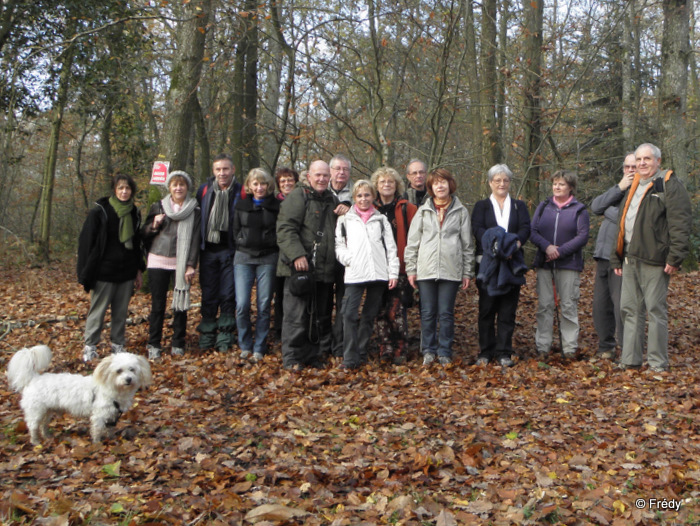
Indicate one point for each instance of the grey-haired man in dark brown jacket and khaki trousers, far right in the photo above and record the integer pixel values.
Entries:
(653, 240)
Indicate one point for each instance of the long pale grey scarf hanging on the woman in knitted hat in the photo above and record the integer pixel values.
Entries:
(185, 225)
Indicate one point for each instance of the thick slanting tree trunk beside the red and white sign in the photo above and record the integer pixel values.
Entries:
(184, 81)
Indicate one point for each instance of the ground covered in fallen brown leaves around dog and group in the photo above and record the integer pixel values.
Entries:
(218, 440)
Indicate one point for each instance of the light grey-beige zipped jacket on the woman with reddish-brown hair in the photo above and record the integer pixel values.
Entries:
(440, 252)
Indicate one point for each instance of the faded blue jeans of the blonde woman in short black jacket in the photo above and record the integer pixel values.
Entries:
(244, 277)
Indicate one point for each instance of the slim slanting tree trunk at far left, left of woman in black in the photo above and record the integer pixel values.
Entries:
(48, 180)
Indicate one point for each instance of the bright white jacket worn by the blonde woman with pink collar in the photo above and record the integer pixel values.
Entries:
(359, 247)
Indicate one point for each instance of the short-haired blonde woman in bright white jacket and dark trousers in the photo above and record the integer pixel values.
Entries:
(364, 244)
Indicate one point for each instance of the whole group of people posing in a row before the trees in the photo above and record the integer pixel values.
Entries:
(325, 243)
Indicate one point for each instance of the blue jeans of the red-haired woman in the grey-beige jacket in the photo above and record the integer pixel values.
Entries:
(437, 307)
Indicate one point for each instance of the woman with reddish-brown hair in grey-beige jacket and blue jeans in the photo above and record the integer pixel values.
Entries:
(439, 258)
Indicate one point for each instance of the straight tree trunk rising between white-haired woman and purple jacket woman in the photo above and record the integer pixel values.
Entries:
(532, 111)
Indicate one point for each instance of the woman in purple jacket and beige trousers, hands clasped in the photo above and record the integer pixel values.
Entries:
(560, 228)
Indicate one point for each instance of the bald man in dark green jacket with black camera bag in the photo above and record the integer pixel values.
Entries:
(306, 238)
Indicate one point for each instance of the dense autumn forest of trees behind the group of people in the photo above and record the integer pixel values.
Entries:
(91, 88)
